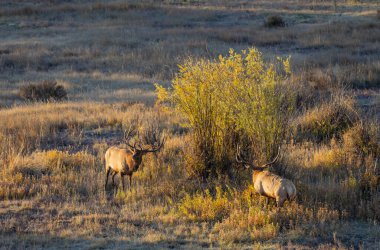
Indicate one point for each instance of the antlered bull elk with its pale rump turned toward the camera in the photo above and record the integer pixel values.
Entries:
(268, 184)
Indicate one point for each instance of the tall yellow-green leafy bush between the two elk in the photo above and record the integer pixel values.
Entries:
(238, 94)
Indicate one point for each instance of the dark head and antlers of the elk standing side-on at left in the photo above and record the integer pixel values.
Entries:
(151, 141)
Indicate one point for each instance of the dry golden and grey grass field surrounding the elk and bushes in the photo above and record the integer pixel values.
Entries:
(109, 54)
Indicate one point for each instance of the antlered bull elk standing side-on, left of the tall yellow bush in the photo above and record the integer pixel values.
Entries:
(127, 161)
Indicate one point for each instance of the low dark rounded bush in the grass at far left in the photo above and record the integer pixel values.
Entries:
(43, 92)
